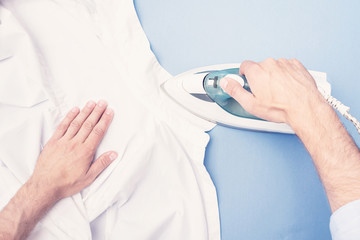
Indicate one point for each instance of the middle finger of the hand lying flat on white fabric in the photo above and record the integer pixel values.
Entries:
(91, 121)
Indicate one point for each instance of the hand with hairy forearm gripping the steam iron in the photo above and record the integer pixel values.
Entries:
(284, 91)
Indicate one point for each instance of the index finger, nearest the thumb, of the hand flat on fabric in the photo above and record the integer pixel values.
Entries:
(100, 129)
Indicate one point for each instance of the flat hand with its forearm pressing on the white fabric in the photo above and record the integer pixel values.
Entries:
(65, 166)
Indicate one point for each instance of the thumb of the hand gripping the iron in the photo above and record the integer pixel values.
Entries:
(235, 90)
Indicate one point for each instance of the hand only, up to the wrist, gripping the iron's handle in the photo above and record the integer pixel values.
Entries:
(282, 90)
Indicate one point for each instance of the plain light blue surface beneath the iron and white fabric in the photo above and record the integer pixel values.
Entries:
(267, 185)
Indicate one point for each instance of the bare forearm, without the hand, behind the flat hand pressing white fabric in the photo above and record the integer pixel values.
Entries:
(24, 210)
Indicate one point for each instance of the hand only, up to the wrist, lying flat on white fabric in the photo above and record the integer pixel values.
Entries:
(65, 164)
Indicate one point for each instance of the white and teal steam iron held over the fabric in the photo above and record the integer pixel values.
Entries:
(199, 91)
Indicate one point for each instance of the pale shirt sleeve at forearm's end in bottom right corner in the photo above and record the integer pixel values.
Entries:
(345, 222)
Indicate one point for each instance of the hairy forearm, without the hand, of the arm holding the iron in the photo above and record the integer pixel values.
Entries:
(335, 155)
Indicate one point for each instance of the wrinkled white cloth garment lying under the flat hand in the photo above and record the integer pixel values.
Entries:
(58, 54)
